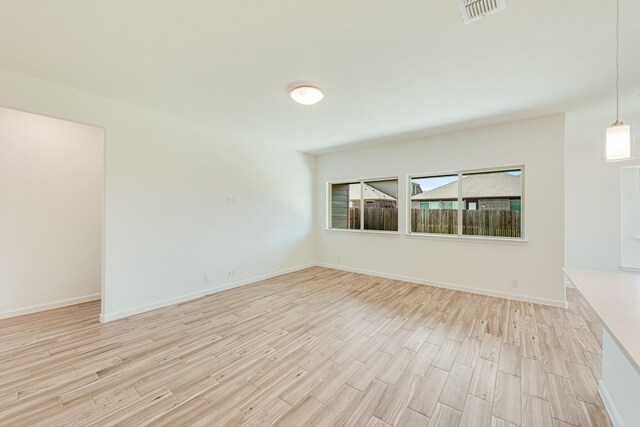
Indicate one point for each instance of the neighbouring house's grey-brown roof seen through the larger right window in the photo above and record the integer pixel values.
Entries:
(483, 186)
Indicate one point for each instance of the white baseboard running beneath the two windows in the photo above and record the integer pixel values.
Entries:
(463, 288)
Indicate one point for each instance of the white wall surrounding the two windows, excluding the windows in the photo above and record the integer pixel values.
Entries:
(477, 266)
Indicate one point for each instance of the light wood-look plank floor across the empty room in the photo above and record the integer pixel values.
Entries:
(315, 347)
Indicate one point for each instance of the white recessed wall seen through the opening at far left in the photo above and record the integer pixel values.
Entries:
(50, 212)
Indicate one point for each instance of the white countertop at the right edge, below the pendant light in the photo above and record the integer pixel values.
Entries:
(615, 298)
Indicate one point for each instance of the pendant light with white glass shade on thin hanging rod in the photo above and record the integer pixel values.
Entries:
(618, 138)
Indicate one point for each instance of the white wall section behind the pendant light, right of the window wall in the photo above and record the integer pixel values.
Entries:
(593, 186)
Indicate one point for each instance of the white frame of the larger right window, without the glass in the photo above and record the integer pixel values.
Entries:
(460, 173)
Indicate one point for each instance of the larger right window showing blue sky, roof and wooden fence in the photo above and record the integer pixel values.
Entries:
(469, 203)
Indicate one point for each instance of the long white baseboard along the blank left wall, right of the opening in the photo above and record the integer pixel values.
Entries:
(109, 317)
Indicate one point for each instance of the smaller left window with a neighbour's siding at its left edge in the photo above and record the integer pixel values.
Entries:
(364, 205)
